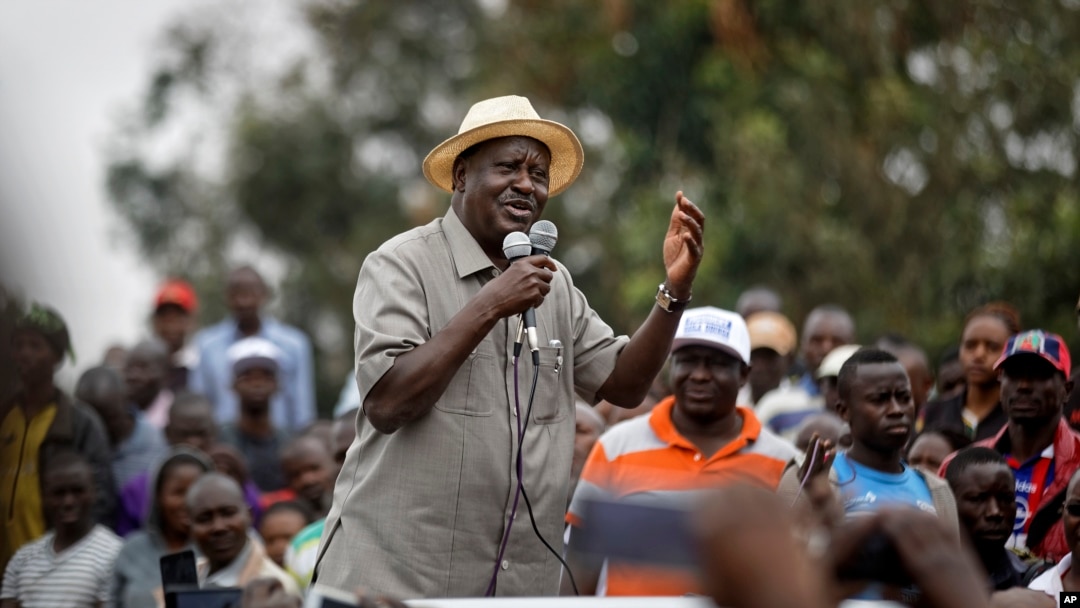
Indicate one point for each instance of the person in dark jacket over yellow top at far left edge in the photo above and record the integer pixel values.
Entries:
(40, 421)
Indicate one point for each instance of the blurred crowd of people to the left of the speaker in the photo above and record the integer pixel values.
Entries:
(205, 441)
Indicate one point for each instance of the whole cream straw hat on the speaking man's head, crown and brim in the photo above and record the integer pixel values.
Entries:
(504, 117)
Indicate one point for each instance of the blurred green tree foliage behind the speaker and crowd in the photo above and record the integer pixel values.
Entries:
(909, 160)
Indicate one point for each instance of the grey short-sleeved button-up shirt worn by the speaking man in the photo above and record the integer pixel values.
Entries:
(421, 514)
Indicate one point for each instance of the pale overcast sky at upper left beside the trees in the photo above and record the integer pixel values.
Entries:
(66, 70)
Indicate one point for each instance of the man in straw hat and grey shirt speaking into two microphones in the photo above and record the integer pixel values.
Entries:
(427, 501)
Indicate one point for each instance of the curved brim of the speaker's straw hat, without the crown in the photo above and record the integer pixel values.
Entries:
(568, 157)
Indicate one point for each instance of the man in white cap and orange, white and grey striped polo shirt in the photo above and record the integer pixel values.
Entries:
(696, 439)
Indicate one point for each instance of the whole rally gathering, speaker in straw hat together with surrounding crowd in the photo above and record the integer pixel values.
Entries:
(715, 452)
